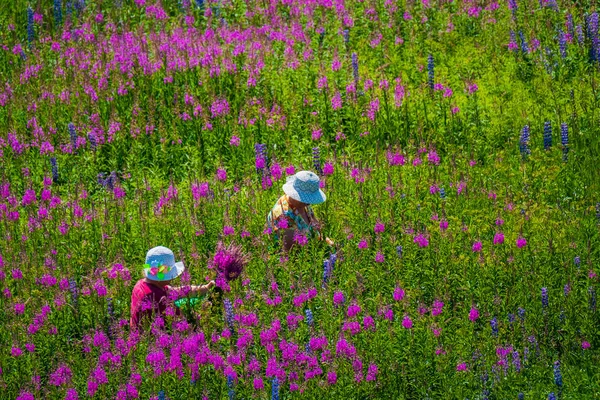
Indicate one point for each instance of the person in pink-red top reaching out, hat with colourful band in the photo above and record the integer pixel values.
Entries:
(151, 293)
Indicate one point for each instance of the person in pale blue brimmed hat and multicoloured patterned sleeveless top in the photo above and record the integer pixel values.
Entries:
(292, 214)
